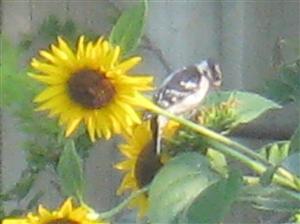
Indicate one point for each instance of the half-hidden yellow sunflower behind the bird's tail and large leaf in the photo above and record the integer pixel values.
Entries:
(142, 162)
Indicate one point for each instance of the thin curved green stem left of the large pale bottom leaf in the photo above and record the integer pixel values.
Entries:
(122, 205)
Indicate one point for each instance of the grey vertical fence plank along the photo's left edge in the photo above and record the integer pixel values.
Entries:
(15, 22)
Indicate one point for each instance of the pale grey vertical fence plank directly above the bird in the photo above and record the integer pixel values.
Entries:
(186, 31)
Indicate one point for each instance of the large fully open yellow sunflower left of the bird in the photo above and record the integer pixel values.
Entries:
(90, 85)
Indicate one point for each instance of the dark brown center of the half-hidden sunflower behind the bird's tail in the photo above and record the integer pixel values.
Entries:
(147, 165)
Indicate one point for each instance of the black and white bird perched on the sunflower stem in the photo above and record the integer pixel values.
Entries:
(182, 92)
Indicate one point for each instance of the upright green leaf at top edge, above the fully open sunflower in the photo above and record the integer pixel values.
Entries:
(128, 30)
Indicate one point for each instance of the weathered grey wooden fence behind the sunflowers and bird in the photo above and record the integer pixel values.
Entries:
(240, 34)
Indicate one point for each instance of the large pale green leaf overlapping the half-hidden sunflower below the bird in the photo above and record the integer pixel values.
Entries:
(177, 185)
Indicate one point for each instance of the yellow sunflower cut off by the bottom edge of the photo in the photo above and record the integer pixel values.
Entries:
(66, 214)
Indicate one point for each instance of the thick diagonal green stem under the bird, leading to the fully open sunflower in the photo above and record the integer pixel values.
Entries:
(238, 151)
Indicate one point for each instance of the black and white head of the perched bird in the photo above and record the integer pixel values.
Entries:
(210, 69)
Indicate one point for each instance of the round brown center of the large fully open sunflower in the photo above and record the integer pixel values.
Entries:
(91, 89)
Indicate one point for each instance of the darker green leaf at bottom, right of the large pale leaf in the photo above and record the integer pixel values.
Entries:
(214, 202)
